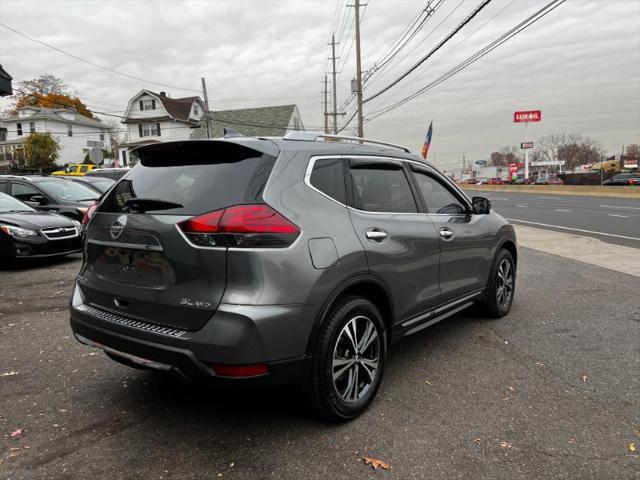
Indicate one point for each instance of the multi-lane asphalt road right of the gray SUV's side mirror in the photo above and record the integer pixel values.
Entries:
(614, 220)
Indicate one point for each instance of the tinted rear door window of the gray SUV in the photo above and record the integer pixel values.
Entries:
(381, 188)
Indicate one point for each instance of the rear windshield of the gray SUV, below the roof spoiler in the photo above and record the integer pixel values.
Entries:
(199, 180)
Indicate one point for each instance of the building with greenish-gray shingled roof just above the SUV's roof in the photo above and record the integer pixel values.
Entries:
(251, 122)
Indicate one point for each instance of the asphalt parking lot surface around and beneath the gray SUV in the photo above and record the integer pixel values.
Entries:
(551, 391)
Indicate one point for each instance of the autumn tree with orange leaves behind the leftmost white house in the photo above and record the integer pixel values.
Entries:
(47, 91)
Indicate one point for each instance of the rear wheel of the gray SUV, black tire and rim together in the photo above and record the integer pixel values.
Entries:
(348, 360)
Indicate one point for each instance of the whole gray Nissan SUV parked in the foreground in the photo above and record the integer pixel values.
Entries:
(271, 260)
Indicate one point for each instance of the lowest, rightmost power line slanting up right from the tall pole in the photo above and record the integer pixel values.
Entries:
(538, 15)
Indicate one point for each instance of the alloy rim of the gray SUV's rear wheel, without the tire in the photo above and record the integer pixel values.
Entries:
(356, 359)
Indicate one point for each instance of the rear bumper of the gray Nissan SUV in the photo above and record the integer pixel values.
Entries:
(191, 354)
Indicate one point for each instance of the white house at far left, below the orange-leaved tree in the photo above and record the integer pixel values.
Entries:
(76, 134)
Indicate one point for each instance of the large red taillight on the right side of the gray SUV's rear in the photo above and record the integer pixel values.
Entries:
(241, 226)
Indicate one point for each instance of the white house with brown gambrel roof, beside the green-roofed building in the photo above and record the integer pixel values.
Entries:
(153, 117)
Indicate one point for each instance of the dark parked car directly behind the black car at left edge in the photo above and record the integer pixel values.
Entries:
(51, 194)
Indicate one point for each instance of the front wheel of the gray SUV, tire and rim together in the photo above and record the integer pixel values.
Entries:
(501, 287)
